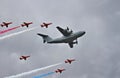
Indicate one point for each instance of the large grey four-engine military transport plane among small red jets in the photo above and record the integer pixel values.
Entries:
(69, 37)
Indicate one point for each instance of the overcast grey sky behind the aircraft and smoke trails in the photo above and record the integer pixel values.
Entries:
(97, 52)
